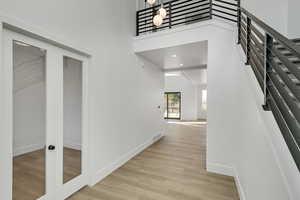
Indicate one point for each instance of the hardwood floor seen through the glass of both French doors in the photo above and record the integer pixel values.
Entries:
(29, 173)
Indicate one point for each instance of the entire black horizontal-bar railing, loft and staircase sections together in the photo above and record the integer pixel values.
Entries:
(274, 58)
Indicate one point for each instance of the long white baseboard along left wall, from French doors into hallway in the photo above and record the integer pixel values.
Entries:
(104, 172)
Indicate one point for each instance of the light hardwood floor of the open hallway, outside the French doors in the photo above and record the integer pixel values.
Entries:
(173, 168)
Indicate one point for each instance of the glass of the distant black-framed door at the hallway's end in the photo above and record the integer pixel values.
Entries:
(174, 100)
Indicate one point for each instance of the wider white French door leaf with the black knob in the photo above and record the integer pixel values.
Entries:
(34, 116)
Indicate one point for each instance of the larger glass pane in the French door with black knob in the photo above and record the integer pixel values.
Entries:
(29, 122)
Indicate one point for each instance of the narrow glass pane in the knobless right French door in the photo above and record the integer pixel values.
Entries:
(72, 151)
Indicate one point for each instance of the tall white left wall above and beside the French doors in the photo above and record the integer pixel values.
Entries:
(124, 94)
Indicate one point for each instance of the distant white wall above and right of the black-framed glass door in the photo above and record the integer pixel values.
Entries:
(188, 95)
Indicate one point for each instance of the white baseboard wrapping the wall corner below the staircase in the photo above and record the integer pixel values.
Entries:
(228, 171)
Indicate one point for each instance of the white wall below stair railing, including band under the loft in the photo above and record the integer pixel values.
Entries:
(241, 142)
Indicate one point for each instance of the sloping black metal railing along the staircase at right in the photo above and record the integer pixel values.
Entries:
(275, 61)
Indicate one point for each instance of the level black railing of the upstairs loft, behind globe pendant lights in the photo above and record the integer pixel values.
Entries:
(183, 12)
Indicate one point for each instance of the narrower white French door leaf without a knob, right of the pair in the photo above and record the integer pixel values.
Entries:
(73, 142)
